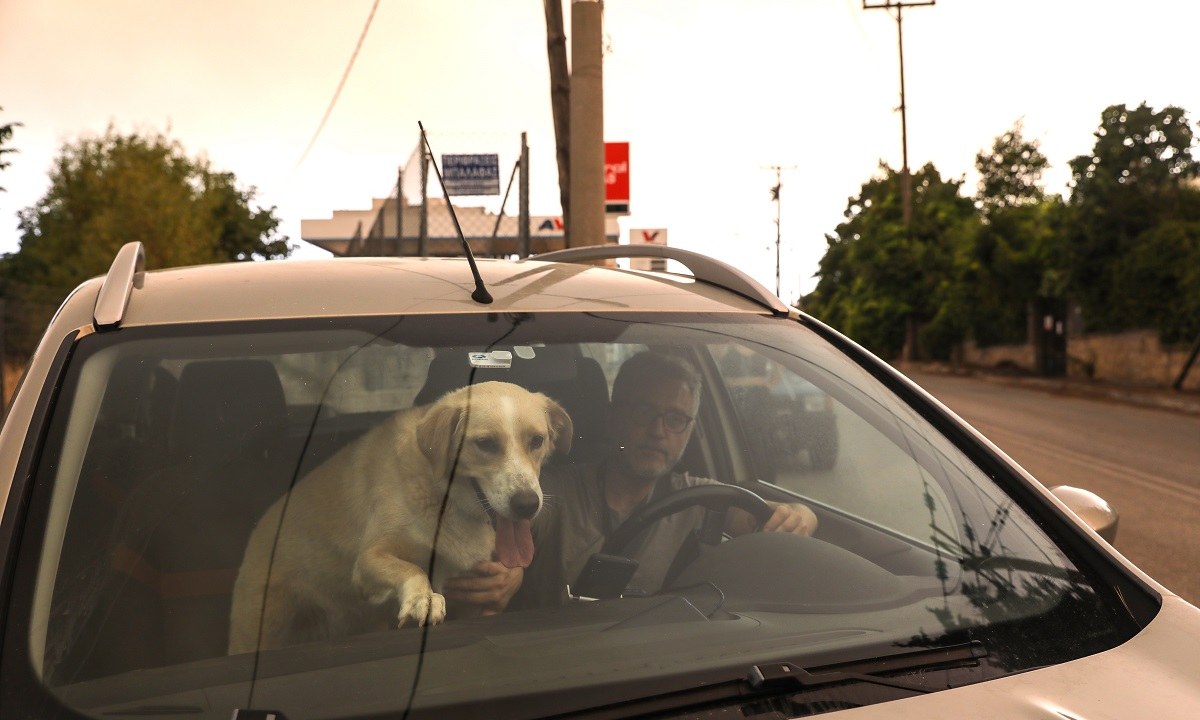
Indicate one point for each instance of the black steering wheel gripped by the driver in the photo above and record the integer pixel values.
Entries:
(716, 499)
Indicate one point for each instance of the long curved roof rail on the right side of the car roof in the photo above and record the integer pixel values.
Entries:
(701, 267)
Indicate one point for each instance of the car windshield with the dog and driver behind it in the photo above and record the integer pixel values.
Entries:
(171, 451)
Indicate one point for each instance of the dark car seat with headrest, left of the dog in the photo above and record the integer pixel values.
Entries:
(178, 539)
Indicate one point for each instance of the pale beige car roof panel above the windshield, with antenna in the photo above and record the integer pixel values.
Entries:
(338, 287)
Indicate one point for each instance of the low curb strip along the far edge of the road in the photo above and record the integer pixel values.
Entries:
(1179, 401)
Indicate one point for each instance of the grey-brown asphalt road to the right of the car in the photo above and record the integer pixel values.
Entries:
(1144, 463)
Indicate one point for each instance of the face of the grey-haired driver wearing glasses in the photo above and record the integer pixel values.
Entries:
(649, 448)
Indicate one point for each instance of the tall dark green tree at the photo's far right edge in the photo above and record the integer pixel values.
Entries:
(1139, 176)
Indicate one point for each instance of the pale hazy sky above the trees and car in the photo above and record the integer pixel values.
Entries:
(710, 95)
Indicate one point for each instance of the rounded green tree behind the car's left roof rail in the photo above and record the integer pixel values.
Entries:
(116, 189)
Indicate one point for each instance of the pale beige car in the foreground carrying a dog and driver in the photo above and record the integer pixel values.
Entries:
(165, 411)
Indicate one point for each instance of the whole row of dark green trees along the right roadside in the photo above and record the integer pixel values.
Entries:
(1126, 245)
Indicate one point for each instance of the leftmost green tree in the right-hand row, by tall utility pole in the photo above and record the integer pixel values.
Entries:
(879, 277)
